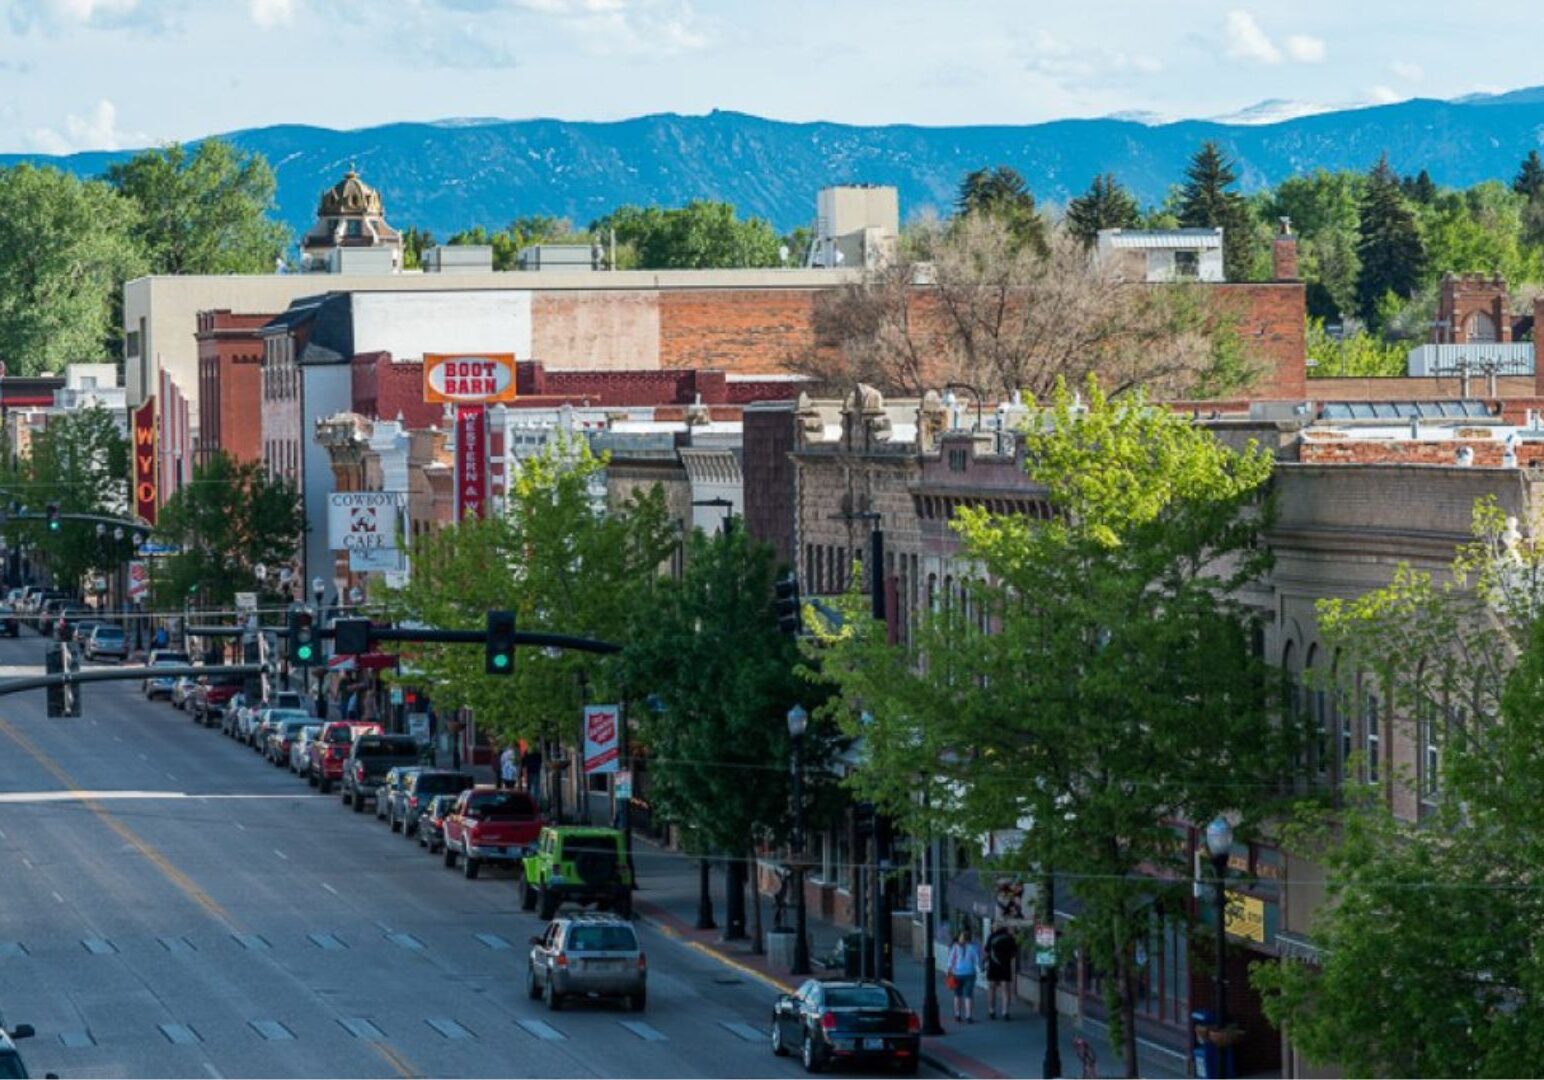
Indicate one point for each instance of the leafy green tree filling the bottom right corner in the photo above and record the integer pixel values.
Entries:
(1427, 937)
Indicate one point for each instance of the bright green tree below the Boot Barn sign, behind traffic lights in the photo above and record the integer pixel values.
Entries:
(561, 563)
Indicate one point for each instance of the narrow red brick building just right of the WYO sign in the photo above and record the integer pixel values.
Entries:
(231, 385)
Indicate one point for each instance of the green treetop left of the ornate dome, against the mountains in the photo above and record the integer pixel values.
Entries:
(203, 211)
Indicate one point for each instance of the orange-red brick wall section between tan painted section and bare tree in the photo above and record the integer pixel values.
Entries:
(739, 331)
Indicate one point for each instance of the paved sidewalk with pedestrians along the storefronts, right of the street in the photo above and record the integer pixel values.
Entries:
(668, 897)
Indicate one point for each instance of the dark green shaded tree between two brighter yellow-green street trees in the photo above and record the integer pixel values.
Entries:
(723, 676)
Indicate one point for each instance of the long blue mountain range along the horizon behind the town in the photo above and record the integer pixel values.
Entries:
(455, 174)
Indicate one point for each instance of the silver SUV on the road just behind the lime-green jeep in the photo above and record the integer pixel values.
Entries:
(589, 956)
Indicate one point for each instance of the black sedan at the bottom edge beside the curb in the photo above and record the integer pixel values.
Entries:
(852, 1021)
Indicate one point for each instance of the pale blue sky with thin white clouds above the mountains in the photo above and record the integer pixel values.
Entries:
(81, 75)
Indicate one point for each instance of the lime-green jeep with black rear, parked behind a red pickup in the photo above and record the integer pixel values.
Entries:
(578, 864)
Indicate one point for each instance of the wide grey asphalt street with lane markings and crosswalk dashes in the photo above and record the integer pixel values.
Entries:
(172, 906)
